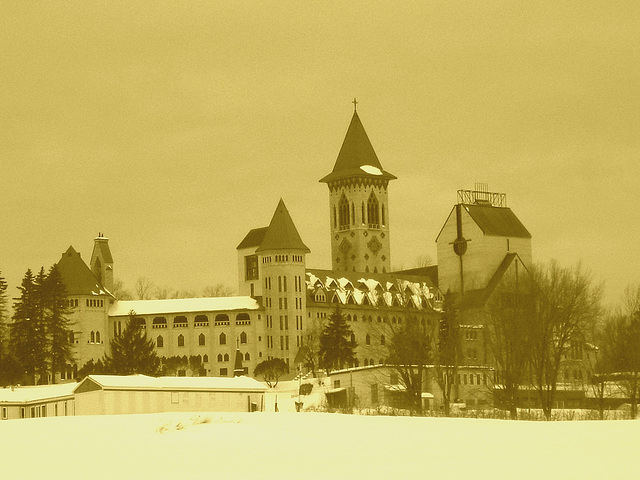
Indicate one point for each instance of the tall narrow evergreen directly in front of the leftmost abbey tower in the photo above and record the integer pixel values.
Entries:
(57, 324)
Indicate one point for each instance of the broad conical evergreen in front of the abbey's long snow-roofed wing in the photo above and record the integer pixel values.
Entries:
(132, 352)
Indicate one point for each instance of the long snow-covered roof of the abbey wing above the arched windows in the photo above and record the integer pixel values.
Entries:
(182, 305)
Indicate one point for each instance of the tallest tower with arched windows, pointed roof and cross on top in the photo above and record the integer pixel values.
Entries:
(359, 205)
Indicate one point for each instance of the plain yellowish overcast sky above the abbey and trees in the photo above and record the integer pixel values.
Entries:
(174, 128)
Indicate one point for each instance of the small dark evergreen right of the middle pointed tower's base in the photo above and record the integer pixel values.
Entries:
(336, 347)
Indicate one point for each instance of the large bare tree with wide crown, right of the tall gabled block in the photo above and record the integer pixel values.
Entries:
(567, 307)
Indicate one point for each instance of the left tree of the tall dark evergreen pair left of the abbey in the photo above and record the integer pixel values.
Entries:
(28, 340)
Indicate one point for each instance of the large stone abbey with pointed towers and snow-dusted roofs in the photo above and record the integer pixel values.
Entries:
(282, 301)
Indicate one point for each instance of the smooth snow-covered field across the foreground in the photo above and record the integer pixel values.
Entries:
(314, 445)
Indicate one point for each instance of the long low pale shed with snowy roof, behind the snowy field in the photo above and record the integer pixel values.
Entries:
(112, 394)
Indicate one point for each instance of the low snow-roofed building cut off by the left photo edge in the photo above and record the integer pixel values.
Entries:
(37, 401)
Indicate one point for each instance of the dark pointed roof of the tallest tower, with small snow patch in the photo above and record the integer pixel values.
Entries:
(357, 157)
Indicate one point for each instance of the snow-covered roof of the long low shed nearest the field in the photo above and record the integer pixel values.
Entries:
(144, 382)
